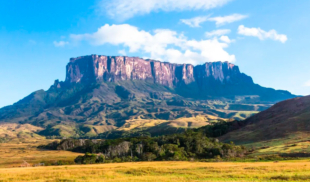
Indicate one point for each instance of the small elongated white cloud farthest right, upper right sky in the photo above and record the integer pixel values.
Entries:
(262, 34)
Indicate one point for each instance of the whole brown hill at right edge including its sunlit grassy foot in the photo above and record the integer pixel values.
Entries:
(283, 128)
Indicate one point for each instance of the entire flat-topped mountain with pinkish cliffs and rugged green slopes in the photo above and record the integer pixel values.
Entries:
(105, 93)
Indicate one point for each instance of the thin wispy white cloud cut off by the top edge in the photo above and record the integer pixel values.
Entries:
(125, 9)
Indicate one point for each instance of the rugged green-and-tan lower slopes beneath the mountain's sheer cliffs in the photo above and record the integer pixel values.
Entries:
(88, 110)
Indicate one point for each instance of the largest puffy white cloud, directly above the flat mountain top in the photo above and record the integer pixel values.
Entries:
(162, 44)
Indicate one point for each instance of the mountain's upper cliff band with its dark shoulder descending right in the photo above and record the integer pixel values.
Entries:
(221, 79)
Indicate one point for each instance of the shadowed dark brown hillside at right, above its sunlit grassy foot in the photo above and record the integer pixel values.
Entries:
(289, 119)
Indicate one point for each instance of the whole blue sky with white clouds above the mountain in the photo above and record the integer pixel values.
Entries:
(268, 40)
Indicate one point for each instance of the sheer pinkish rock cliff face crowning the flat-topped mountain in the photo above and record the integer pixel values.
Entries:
(112, 69)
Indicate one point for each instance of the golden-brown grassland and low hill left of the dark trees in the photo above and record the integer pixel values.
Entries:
(22, 146)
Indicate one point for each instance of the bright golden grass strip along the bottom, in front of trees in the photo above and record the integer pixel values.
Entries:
(164, 171)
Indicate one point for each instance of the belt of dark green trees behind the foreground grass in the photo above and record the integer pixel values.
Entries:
(178, 147)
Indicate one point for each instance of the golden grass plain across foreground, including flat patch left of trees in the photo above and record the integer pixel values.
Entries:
(14, 153)
